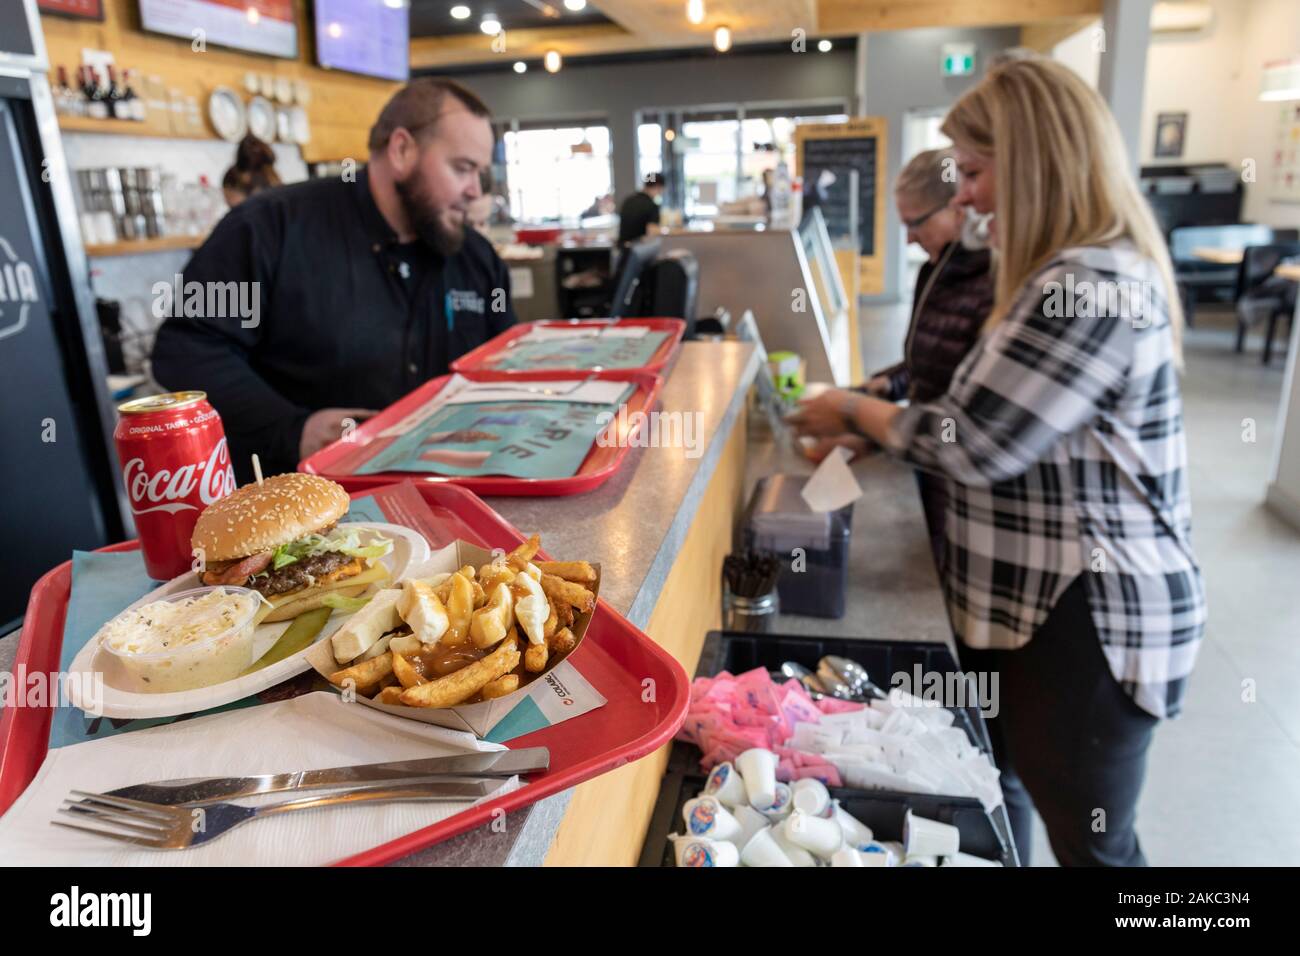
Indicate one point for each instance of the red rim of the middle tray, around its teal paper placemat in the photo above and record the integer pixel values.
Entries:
(336, 461)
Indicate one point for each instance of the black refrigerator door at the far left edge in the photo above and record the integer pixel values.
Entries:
(49, 469)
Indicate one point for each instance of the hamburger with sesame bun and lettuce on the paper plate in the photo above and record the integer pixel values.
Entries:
(283, 539)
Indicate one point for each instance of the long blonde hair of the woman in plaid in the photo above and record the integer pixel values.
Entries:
(1061, 171)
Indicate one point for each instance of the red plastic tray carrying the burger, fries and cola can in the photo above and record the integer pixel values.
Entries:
(616, 659)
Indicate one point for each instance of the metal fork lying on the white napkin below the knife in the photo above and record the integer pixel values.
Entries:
(181, 828)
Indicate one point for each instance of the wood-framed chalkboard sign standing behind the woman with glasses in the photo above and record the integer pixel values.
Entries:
(829, 157)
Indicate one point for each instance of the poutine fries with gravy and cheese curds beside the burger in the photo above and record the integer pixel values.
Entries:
(515, 612)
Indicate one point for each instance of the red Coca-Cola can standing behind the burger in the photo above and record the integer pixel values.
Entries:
(175, 464)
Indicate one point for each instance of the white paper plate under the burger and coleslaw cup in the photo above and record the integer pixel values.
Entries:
(410, 551)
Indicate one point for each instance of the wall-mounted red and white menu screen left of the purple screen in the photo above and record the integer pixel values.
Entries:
(257, 27)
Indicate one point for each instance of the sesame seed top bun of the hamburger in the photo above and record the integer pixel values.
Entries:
(261, 518)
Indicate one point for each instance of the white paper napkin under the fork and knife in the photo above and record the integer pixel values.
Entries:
(310, 733)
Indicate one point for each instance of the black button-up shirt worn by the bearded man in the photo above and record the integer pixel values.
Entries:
(348, 315)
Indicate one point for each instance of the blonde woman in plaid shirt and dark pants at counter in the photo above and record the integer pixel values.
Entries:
(1068, 566)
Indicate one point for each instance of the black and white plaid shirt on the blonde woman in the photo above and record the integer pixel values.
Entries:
(1063, 440)
